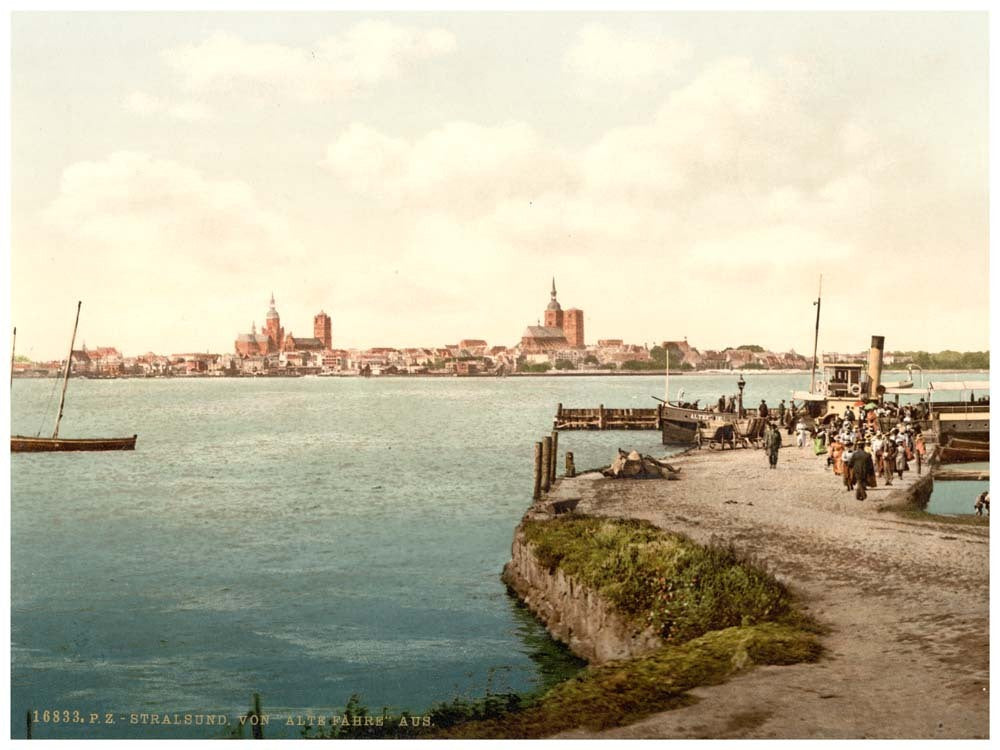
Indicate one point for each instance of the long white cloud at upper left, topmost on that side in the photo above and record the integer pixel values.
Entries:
(366, 54)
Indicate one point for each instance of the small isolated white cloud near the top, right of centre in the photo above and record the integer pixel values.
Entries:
(602, 57)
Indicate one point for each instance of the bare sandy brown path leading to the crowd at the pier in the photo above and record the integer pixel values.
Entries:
(907, 602)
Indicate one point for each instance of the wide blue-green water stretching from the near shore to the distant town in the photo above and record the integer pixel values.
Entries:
(304, 538)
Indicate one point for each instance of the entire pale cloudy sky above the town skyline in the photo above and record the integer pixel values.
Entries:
(421, 177)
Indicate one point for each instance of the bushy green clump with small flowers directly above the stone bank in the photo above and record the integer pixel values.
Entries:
(662, 579)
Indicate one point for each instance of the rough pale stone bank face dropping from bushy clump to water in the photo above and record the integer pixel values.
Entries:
(573, 613)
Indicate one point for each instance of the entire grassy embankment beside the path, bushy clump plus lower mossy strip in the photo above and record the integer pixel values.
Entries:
(718, 612)
